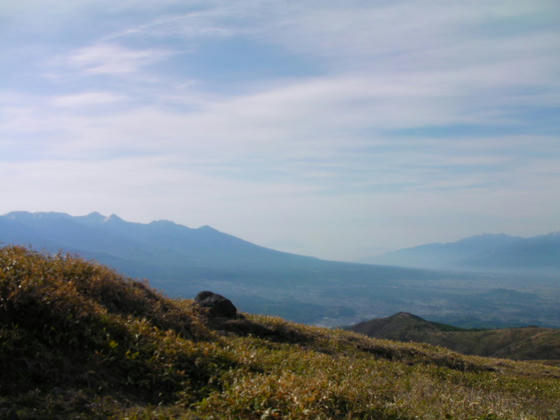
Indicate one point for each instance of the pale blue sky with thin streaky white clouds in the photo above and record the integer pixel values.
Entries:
(337, 129)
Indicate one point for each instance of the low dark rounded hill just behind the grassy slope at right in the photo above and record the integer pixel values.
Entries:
(529, 343)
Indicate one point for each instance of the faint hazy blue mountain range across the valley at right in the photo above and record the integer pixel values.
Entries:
(495, 252)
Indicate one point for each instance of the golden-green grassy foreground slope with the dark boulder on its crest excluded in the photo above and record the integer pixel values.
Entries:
(79, 341)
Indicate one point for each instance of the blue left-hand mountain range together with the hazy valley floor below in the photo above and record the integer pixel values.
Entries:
(182, 261)
